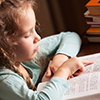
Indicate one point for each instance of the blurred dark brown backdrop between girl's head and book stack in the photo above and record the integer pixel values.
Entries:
(55, 16)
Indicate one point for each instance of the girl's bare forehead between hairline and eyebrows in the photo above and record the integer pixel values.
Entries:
(27, 20)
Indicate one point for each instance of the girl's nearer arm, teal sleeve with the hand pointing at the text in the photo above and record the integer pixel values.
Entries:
(15, 87)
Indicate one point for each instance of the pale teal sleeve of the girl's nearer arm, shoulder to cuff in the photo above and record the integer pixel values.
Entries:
(16, 89)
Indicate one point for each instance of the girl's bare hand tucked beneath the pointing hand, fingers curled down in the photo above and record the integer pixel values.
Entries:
(57, 61)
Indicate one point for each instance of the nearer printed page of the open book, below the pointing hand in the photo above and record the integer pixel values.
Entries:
(83, 85)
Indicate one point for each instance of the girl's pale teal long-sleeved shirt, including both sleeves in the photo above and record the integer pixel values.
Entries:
(13, 87)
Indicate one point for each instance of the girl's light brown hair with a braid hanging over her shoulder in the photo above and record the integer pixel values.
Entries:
(10, 10)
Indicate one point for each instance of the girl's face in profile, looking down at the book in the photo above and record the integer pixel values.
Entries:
(27, 38)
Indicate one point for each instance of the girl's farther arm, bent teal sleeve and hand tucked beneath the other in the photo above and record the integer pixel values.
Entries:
(63, 46)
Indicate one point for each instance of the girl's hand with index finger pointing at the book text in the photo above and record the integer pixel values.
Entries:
(73, 66)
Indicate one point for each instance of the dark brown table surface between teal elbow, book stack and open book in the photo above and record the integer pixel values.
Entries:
(88, 48)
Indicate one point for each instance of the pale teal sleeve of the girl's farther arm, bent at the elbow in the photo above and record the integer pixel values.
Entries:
(67, 43)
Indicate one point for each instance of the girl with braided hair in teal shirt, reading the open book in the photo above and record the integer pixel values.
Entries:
(23, 56)
